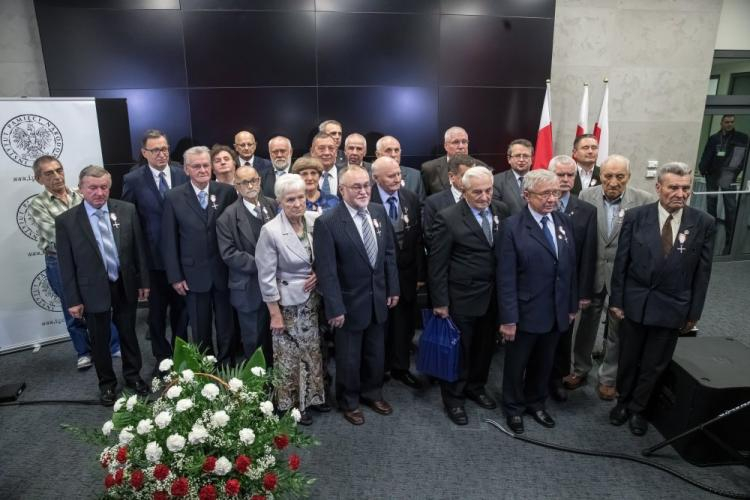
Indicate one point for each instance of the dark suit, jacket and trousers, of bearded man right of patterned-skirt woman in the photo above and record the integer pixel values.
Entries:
(352, 287)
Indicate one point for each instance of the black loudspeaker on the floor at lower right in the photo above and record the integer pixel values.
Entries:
(706, 377)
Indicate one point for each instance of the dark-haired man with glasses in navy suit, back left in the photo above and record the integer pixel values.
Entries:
(146, 187)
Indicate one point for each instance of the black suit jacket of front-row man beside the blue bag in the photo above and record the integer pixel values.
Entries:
(461, 262)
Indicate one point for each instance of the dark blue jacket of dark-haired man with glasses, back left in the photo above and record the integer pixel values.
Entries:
(139, 188)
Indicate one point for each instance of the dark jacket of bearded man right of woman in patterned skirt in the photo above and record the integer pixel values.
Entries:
(346, 280)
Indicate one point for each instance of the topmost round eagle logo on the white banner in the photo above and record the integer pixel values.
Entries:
(27, 137)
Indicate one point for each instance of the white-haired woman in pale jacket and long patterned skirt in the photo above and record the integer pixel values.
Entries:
(284, 257)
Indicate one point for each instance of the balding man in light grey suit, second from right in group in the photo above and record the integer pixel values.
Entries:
(612, 199)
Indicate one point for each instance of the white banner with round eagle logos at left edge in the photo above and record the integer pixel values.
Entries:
(30, 312)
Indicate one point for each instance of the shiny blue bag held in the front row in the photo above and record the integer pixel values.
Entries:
(439, 347)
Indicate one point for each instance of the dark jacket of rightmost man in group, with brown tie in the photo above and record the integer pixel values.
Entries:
(656, 291)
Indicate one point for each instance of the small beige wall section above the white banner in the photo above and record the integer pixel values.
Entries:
(21, 64)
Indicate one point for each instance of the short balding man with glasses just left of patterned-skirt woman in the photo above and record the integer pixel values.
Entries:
(238, 229)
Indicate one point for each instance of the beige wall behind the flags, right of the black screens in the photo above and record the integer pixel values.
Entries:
(657, 55)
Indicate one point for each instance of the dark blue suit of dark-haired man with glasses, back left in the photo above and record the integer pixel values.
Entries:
(139, 188)
